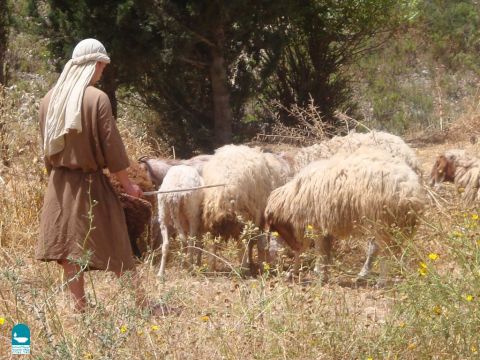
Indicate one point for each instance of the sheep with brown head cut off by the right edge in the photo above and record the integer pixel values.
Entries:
(457, 166)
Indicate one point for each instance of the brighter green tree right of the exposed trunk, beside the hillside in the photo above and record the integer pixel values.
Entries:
(323, 38)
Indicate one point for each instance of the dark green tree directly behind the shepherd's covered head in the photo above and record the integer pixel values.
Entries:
(118, 24)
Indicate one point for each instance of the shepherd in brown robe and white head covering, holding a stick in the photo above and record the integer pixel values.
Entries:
(82, 224)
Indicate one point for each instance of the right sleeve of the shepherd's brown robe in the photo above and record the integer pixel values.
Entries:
(113, 149)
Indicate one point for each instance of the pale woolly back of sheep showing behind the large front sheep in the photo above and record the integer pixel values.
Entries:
(349, 143)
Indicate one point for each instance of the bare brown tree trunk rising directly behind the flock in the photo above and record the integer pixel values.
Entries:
(222, 112)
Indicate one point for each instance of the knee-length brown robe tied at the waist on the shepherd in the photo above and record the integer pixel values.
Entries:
(77, 186)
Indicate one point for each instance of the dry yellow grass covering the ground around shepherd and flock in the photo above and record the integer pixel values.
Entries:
(225, 316)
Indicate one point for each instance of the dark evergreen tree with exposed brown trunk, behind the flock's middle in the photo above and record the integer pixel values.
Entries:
(214, 50)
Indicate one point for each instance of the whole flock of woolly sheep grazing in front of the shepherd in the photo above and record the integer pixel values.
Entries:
(359, 184)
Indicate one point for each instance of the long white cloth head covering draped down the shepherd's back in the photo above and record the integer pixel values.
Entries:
(65, 108)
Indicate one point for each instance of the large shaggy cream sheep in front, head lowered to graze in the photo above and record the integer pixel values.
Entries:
(342, 196)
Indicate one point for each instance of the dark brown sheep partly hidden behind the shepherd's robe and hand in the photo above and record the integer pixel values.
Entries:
(138, 212)
